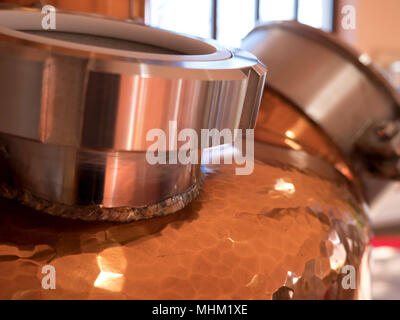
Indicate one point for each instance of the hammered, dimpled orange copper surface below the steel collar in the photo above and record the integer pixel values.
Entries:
(278, 233)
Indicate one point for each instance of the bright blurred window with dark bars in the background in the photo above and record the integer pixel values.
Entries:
(229, 21)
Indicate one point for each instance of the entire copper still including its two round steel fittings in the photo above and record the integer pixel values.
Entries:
(286, 231)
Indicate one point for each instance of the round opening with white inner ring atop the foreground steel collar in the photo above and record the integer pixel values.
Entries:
(109, 36)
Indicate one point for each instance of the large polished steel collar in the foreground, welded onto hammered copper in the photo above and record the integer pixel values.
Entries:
(74, 115)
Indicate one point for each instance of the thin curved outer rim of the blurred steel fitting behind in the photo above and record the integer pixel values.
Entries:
(341, 47)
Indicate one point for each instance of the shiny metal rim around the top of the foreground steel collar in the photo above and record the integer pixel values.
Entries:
(230, 60)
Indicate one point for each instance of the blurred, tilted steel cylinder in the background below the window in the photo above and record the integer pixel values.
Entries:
(333, 84)
